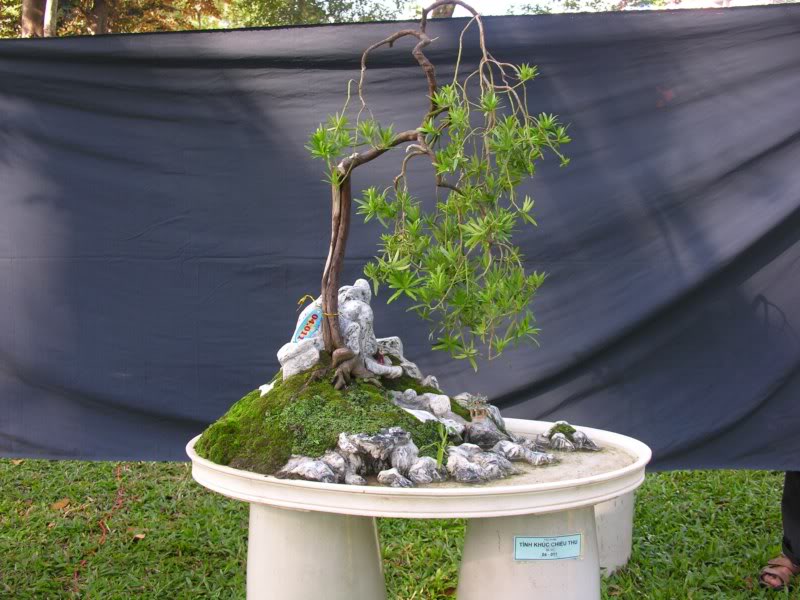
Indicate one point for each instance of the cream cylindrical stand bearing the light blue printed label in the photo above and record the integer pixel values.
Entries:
(543, 557)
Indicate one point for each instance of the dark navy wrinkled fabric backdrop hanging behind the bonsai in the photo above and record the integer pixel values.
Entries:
(160, 219)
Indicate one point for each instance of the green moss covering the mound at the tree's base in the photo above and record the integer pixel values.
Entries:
(300, 416)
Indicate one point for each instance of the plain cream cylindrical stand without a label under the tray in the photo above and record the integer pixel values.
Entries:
(296, 555)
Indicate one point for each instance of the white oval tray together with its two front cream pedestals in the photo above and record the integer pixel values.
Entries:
(526, 540)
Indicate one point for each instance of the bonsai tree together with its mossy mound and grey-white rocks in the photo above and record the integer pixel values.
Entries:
(346, 406)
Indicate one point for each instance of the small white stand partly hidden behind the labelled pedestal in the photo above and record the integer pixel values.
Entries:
(615, 532)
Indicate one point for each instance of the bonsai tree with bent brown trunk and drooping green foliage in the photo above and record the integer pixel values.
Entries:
(457, 263)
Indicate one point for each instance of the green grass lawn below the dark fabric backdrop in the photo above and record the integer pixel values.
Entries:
(146, 530)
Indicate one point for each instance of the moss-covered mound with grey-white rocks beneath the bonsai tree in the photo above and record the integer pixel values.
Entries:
(393, 426)
